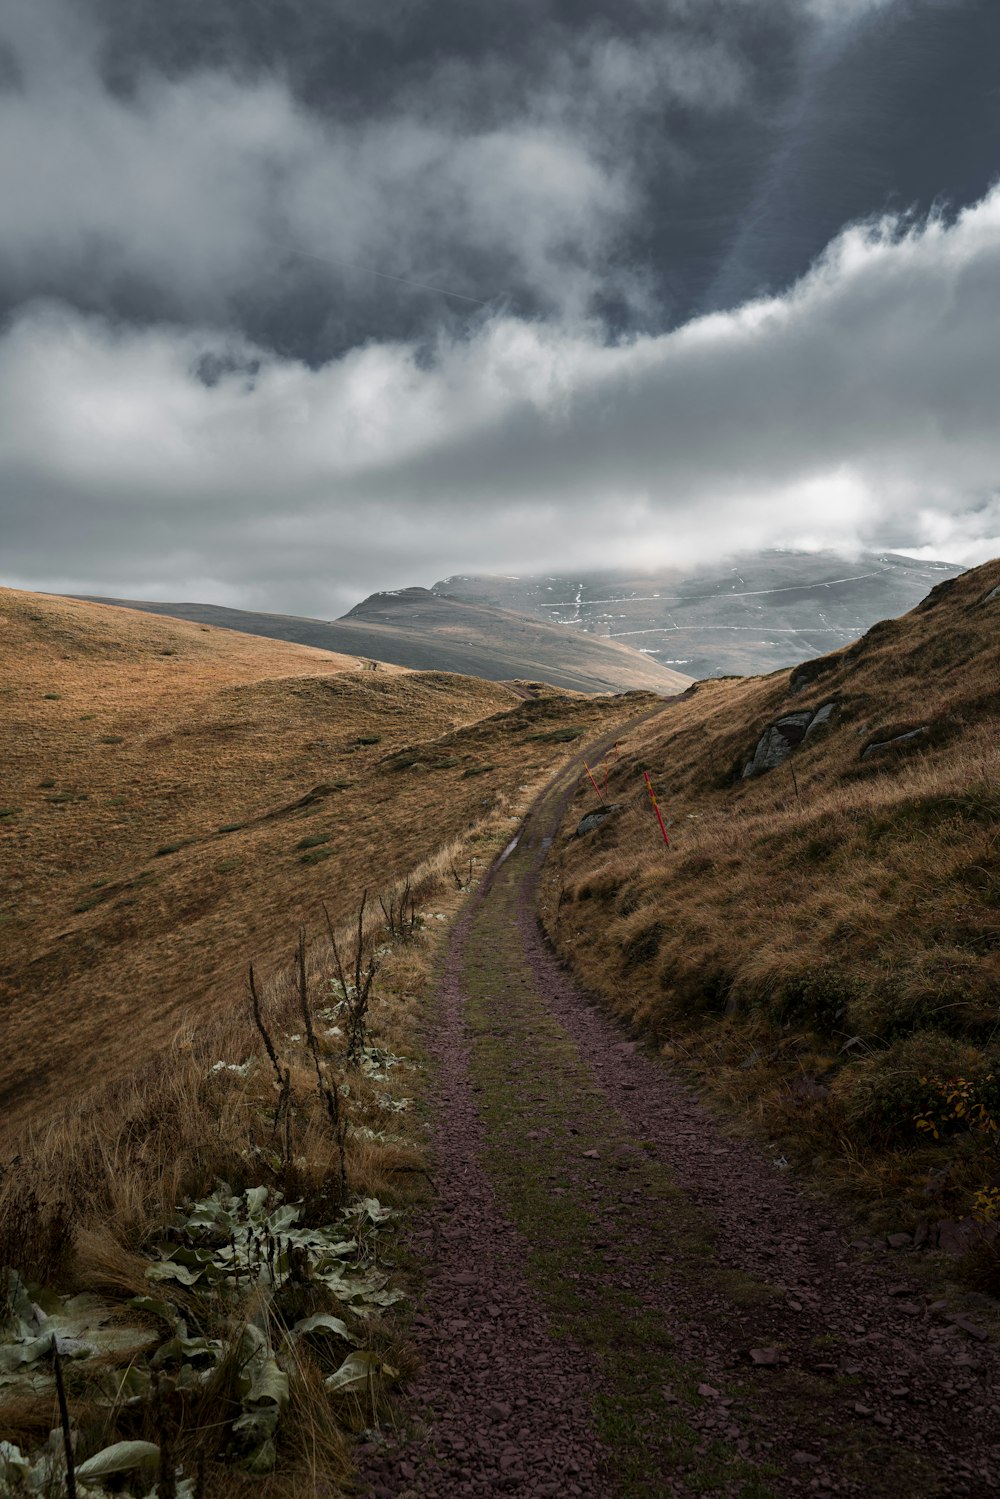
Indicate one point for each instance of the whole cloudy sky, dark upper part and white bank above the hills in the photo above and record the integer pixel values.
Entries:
(305, 301)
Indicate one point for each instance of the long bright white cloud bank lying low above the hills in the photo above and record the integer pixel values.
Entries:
(858, 408)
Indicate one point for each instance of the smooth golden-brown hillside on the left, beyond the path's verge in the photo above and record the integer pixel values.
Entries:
(176, 800)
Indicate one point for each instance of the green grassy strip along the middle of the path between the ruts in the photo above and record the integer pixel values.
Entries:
(647, 1393)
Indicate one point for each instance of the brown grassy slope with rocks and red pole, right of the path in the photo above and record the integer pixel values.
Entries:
(822, 938)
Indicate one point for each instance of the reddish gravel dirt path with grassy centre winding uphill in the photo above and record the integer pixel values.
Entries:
(626, 1302)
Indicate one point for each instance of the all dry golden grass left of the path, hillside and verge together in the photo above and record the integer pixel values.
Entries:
(205, 807)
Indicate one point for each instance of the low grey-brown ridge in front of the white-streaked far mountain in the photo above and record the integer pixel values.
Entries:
(433, 633)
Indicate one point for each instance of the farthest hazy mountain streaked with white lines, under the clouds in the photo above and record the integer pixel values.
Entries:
(749, 615)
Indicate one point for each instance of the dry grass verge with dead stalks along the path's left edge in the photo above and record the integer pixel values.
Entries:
(98, 1186)
